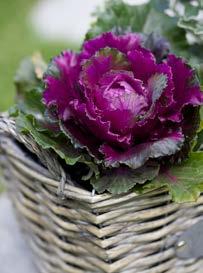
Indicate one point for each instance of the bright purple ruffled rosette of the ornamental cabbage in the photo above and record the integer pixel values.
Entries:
(121, 103)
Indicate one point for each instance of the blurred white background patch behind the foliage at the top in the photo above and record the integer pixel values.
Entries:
(66, 19)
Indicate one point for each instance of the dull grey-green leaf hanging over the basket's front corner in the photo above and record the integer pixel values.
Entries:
(121, 180)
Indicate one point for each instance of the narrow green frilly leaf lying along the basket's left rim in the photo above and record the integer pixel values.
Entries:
(27, 124)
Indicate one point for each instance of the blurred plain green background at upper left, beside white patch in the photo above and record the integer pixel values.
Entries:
(17, 41)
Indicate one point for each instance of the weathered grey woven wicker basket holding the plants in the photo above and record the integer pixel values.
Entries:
(77, 232)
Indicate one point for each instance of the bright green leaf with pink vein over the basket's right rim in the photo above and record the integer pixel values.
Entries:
(184, 182)
